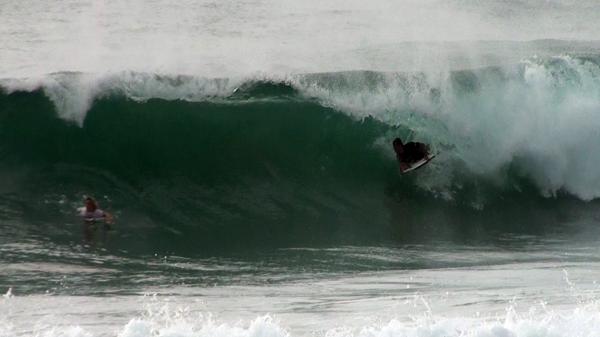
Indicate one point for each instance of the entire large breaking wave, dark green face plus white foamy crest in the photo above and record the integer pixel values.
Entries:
(309, 151)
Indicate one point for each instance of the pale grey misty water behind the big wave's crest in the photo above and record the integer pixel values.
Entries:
(241, 37)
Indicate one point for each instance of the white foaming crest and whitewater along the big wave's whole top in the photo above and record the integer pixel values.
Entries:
(536, 119)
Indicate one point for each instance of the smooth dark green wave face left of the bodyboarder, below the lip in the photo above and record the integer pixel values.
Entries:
(230, 173)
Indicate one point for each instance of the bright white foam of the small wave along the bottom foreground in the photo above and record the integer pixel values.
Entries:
(537, 322)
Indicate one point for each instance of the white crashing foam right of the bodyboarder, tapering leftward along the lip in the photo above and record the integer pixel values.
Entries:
(541, 117)
